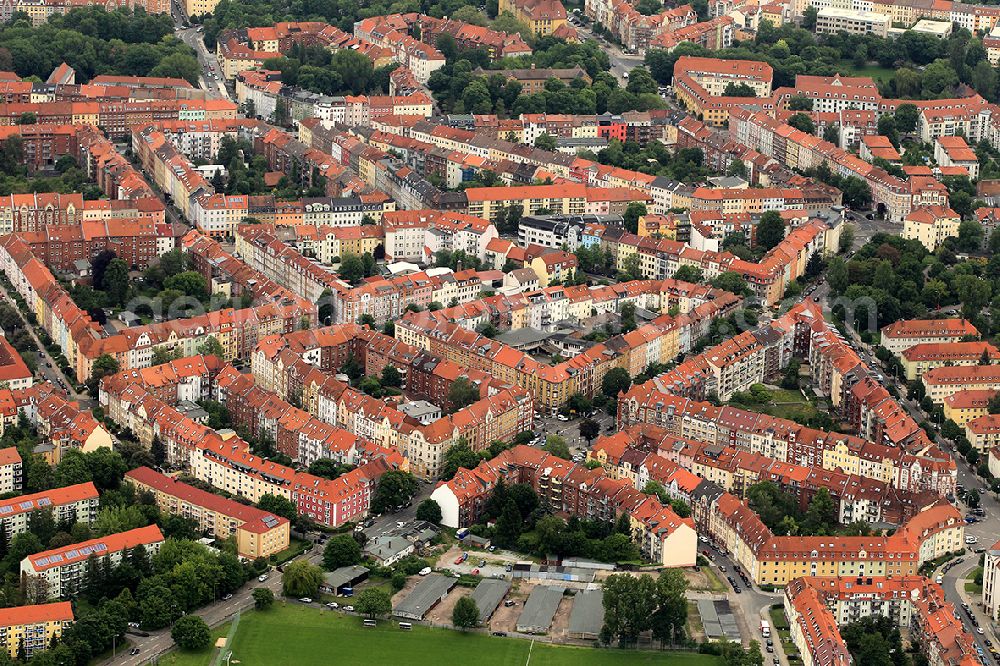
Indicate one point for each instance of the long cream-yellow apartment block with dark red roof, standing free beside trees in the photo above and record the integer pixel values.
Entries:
(258, 534)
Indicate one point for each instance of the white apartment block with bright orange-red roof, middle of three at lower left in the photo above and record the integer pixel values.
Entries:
(60, 571)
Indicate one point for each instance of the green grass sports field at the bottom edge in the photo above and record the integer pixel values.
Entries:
(294, 634)
